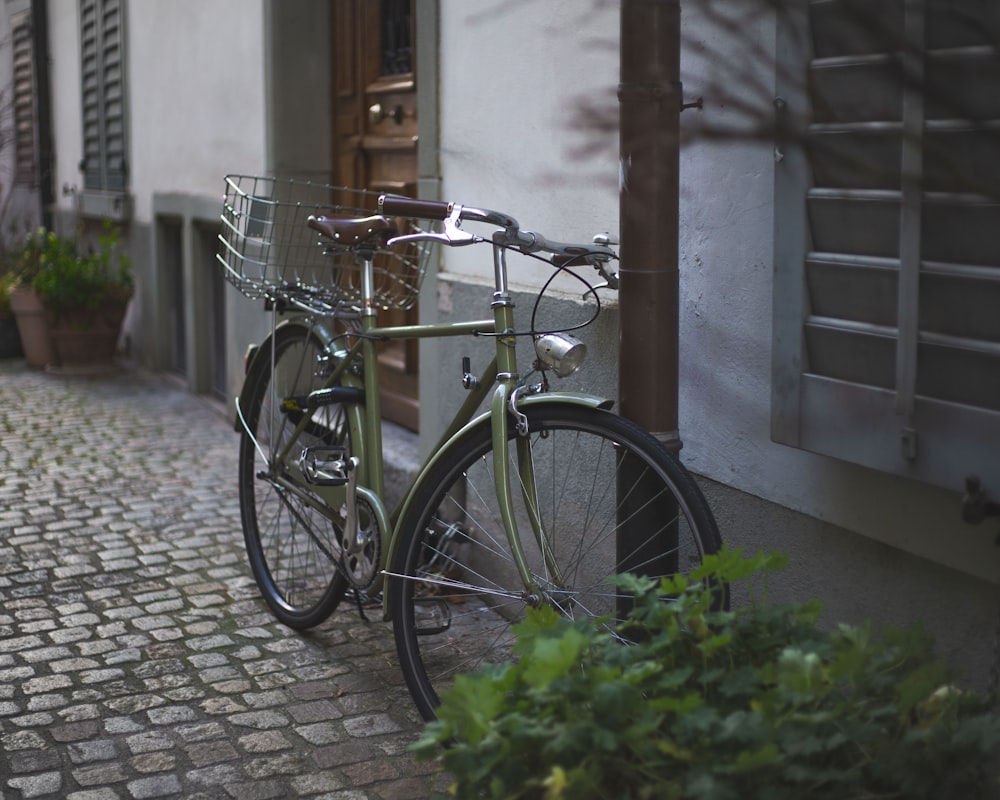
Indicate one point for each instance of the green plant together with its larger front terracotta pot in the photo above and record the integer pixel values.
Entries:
(85, 297)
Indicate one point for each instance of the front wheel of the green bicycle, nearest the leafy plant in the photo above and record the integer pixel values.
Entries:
(453, 610)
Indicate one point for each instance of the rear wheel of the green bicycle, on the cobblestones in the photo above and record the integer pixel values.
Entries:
(293, 548)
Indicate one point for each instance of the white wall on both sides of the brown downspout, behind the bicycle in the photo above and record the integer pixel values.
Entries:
(511, 77)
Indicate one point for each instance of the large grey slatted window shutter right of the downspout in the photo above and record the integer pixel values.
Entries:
(886, 344)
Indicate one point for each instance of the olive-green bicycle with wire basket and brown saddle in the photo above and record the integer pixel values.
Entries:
(535, 501)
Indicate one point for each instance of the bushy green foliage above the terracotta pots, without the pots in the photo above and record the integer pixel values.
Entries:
(70, 282)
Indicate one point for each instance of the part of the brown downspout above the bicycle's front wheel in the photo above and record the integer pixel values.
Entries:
(650, 98)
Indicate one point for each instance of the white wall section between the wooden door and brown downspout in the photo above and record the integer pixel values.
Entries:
(512, 78)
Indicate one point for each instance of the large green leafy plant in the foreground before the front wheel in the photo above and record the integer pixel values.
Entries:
(757, 702)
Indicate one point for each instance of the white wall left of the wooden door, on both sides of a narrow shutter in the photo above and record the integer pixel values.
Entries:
(196, 95)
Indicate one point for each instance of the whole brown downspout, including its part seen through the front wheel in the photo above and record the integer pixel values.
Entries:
(650, 99)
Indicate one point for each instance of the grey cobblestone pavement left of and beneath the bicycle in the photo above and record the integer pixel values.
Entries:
(136, 657)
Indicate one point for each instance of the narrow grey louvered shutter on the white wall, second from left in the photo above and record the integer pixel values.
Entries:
(104, 165)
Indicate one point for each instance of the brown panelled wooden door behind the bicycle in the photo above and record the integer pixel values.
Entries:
(375, 145)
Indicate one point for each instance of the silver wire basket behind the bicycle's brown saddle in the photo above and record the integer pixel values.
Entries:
(268, 251)
